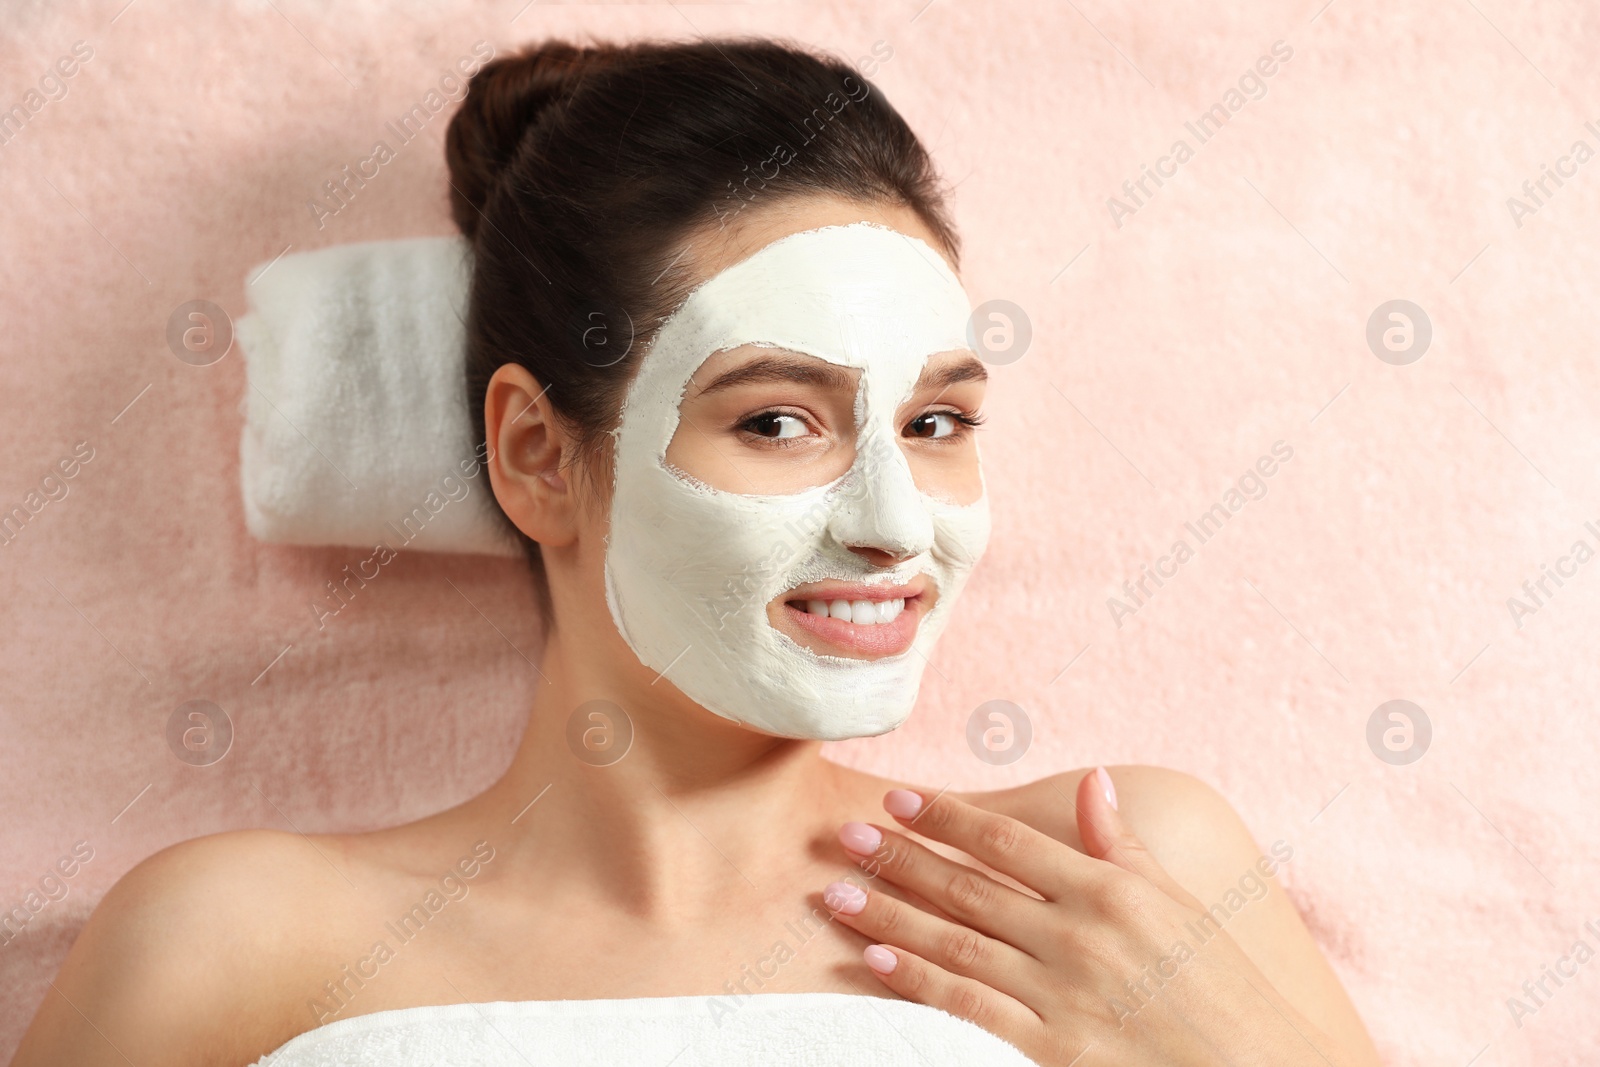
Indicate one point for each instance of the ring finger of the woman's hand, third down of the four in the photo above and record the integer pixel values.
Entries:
(954, 948)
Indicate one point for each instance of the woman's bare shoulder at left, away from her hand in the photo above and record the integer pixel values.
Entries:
(183, 962)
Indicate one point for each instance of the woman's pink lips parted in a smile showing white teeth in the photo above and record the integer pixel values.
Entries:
(828, 615)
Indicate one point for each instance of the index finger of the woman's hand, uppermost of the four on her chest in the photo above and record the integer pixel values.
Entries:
(1004, 844)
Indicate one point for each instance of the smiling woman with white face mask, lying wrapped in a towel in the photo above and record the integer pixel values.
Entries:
(716, 351)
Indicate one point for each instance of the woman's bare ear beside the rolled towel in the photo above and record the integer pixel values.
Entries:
(530, 450)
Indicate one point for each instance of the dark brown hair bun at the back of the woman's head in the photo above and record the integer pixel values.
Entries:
(505, 100)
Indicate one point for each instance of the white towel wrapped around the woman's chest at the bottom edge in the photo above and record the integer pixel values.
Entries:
(767, 1029)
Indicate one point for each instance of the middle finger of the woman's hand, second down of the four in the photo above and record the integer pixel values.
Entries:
(962, 893)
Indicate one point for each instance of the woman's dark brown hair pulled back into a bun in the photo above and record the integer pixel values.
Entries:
(578, 174)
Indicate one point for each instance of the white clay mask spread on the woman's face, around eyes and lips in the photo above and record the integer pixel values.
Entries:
(690, 570)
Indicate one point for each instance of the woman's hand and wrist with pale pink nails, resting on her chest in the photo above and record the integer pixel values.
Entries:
(1111, 964)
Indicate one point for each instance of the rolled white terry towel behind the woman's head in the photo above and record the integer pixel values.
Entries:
(356, 409)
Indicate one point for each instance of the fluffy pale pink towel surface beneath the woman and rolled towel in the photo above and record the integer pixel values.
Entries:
(1169, 354)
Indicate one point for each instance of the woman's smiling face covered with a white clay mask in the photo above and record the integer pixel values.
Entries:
(796, 495)
